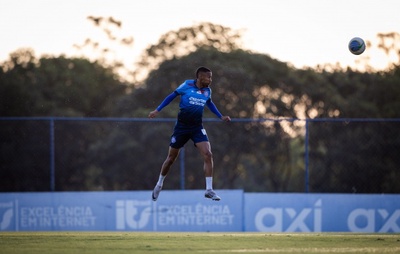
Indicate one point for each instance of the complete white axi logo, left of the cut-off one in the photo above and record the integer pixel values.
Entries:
(270, 219)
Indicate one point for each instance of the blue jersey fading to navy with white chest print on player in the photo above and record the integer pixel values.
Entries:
(193, 100)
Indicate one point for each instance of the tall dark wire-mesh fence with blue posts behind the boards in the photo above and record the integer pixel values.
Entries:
(276, 155)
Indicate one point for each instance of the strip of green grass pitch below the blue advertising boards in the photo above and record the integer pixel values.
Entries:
(173, 243)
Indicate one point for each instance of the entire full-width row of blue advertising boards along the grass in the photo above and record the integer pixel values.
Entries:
(190, 211)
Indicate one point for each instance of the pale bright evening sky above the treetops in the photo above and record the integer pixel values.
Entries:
(301, 32)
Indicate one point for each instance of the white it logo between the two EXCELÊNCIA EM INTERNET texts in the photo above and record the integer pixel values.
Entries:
(132, 214)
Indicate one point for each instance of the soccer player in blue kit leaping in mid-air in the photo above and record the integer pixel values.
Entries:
(195, 94)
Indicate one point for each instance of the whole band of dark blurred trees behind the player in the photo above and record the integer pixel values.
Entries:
(256, 156)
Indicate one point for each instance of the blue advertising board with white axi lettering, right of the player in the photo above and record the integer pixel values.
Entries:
(322, 212)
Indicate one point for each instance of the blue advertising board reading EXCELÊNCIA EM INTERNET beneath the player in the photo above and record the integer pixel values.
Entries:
(121, 211)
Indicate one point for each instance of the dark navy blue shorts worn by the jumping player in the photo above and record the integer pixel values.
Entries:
(182, 134)
